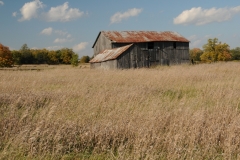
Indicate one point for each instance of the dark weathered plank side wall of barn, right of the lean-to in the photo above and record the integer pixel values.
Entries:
(164, 53)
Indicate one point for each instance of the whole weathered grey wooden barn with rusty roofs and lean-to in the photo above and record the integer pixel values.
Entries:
(136, 49)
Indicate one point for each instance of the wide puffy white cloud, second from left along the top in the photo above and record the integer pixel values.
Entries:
(62, 13)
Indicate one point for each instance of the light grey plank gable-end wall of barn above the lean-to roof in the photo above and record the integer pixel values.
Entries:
(101, 44)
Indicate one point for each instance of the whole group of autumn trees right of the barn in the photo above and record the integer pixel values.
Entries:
(214, 51)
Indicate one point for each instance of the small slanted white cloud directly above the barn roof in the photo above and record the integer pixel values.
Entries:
(118, 17)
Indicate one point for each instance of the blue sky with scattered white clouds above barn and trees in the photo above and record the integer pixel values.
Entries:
(75, 24)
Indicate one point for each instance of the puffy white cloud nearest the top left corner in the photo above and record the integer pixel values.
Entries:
(30, 10)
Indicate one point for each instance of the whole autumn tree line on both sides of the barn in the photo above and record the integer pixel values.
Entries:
(212, 51)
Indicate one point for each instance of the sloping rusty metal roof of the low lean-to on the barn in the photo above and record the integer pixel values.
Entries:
(110, 54)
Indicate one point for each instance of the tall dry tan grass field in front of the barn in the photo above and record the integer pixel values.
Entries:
(176, 112)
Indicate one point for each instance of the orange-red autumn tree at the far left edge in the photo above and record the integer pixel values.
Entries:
(6, 59)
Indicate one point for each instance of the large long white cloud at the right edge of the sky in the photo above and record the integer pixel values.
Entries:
(199, 16)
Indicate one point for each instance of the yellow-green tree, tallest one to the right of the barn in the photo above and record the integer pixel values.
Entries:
(215, 51)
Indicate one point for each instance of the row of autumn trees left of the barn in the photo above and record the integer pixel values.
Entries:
(26, 55)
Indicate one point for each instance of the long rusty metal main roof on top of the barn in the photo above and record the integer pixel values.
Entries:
(143, 36)
